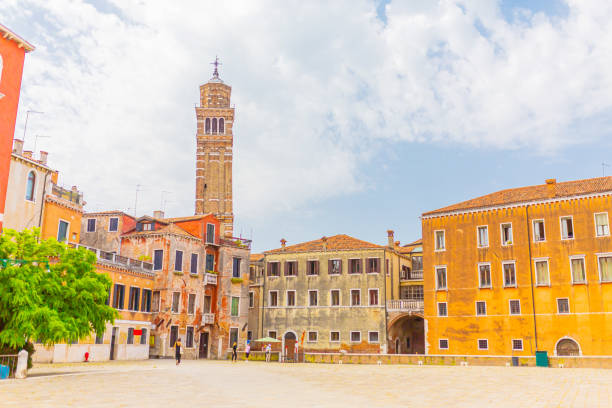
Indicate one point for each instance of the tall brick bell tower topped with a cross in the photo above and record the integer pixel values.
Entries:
(214, 152)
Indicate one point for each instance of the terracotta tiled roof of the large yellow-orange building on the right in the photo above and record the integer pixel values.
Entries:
(548, 191)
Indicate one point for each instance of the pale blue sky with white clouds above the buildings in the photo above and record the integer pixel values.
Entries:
(352, 116)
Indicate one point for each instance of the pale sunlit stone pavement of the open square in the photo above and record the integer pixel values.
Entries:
(159, 383)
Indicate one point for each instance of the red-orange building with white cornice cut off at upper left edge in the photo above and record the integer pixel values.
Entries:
(12, 55)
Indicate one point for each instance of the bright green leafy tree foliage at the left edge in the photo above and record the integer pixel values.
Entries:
(55, 296)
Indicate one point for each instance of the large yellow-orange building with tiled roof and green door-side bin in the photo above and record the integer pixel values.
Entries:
(521, 270)
